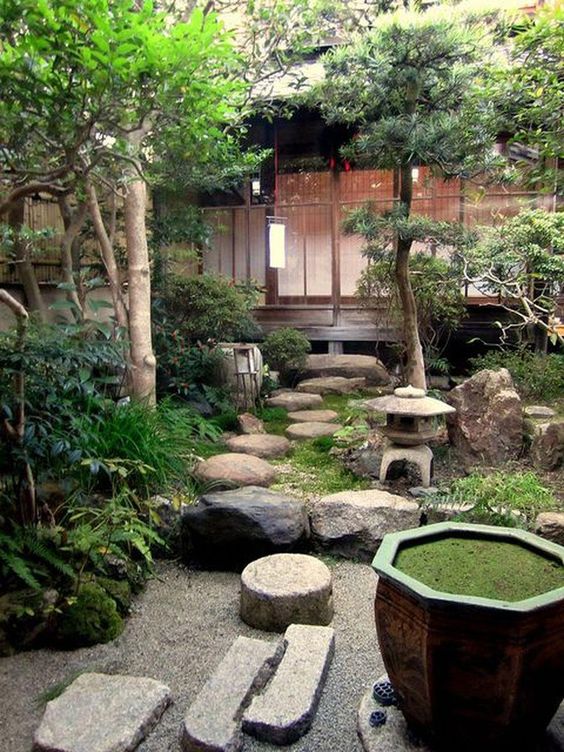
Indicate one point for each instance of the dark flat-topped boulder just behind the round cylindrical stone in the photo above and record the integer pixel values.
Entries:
(234, 527)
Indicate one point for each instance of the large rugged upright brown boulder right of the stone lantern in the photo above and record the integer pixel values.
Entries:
(488, 424)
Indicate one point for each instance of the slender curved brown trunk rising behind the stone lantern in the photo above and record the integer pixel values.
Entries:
(415, 370)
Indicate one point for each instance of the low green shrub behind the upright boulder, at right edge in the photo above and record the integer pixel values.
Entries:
(537, 377)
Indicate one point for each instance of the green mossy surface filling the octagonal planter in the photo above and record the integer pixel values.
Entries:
(483, 568)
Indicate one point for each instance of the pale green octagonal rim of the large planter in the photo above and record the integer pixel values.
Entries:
(384, 558)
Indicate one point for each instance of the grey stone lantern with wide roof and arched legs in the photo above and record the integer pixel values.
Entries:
(410, 424)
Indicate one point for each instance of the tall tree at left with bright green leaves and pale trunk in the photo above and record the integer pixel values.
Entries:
(100, 96)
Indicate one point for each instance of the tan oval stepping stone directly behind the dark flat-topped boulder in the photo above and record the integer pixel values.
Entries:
(236, 469)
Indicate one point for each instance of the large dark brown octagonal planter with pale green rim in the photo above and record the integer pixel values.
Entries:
(470, 673)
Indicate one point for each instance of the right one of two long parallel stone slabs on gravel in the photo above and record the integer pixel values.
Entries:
(284, 711)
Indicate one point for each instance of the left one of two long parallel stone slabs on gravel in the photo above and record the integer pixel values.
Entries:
(213, 722)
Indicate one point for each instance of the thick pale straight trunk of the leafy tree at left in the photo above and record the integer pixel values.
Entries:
(143, 362)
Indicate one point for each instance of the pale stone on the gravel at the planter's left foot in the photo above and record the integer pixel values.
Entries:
(393, 736)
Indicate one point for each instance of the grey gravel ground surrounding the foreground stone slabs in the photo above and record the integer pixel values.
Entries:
(180, 628)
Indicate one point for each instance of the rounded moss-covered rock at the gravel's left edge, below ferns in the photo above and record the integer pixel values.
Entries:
(92, 618)
